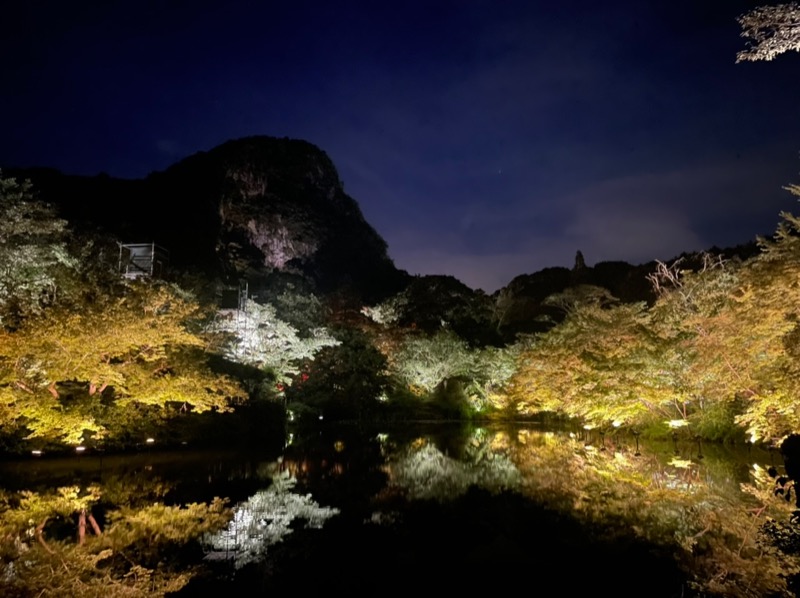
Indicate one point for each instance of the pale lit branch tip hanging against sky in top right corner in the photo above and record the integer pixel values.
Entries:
(771, 30)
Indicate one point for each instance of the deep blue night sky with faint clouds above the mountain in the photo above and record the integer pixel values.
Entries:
(482, 139)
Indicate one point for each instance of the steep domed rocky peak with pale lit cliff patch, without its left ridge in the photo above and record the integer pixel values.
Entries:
(281, 207)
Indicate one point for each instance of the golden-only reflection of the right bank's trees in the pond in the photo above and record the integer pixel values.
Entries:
(711, 526)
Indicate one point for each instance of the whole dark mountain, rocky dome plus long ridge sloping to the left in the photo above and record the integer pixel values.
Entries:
(245, 209)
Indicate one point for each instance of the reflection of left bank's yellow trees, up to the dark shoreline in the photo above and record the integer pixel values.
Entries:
(147, 530)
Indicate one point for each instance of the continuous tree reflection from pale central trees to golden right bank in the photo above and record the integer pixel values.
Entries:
(695, 509)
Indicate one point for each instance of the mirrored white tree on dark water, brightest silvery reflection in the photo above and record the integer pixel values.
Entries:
(264, 520)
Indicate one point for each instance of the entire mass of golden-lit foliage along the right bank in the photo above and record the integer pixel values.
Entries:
(715, 352)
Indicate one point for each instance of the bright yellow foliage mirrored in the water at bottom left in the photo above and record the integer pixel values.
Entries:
(134, 556)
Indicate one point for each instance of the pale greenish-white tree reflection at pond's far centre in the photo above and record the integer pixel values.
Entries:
(426, 473)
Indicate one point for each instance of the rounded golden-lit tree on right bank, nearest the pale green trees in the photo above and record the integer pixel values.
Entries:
(603, 365)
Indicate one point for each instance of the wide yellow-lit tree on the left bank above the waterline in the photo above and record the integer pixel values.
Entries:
(61, 370)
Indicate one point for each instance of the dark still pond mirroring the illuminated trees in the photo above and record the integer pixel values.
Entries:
(443, 508)
